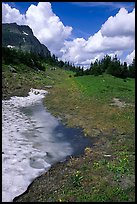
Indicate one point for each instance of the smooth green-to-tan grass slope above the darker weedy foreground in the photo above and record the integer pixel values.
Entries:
(88, 101)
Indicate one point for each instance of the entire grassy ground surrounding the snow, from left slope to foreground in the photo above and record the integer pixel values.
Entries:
(104, 107)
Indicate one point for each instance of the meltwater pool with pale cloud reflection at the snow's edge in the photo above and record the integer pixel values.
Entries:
(50, 135)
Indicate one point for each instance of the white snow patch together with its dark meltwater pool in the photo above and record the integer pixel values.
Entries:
(33, 140)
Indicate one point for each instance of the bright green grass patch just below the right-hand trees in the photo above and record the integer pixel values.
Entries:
(106, 87)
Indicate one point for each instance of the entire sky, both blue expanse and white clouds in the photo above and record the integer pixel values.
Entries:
(78, 32)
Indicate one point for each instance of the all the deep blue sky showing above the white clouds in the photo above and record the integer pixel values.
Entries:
(75, 14)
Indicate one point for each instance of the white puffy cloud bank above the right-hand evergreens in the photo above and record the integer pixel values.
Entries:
(115, 37)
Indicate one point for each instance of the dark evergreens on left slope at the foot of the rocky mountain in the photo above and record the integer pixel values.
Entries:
(33, 60)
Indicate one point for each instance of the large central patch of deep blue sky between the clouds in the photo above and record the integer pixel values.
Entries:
(76, 14)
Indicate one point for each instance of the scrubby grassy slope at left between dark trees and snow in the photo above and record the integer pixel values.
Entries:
(20, 81)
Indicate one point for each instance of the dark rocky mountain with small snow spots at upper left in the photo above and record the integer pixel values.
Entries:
(21, 37)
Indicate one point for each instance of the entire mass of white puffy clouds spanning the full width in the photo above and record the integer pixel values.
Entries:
(116, 35)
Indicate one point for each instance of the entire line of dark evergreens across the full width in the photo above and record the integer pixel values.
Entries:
(106, 65)
